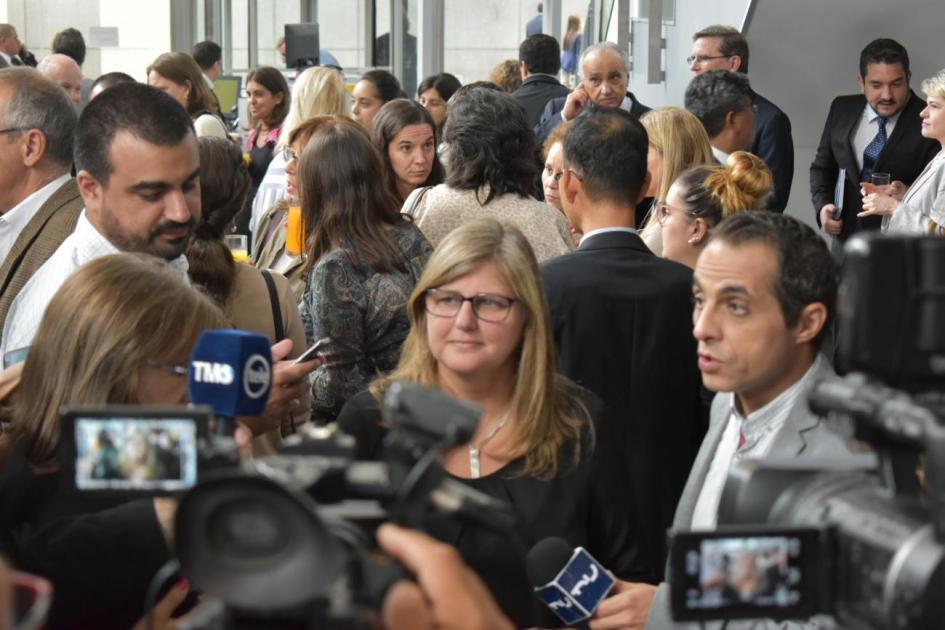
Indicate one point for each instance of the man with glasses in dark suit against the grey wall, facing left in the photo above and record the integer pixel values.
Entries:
(725, 48)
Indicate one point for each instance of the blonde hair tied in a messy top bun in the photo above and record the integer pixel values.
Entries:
(715, 192)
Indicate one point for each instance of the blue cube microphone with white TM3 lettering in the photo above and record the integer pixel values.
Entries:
(231, 371)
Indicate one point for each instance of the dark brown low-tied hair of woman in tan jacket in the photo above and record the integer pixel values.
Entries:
(224, 188)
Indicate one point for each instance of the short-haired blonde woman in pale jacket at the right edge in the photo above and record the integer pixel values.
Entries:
(921, 208)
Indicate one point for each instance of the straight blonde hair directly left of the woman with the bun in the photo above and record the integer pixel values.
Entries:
(681, 141)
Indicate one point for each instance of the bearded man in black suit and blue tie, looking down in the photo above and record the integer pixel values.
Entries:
(878, 131)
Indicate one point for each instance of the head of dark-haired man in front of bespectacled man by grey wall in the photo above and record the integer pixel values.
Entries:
(721, 100)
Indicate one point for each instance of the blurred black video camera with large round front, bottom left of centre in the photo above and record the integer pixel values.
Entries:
(288, 542)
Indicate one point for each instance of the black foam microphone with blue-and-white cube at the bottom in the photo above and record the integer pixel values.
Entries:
(569, 580)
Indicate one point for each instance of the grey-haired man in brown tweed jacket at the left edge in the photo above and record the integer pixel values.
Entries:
(39, 202)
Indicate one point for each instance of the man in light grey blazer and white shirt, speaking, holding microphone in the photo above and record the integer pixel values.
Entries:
(764, 291)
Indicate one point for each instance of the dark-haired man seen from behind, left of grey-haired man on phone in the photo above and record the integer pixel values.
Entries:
(540, 59)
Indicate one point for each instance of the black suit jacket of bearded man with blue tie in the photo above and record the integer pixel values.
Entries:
(905, 155)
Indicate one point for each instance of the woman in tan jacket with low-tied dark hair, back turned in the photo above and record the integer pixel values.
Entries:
(248, 299)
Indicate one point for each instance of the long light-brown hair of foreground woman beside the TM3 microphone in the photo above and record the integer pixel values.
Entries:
(106, 321)
